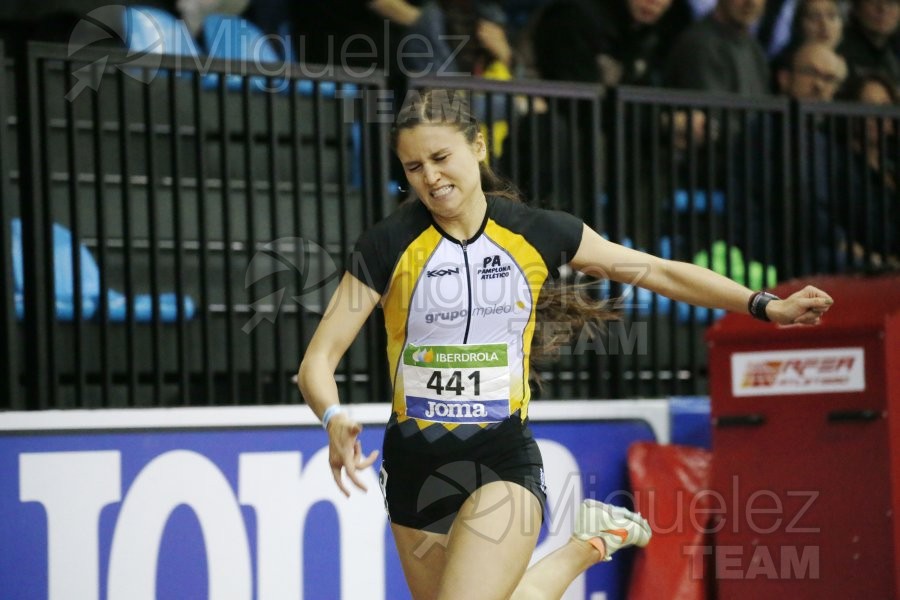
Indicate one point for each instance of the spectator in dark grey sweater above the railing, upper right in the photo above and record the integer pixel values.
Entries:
(720, 54)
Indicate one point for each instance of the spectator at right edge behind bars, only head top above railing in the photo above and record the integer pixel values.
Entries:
(870, 176)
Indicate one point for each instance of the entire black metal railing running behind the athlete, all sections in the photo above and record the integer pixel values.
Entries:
(197, 225)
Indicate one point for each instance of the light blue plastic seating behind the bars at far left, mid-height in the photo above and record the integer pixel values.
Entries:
(64, 286)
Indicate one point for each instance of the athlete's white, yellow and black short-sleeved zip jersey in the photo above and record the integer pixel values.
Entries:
(460, 314)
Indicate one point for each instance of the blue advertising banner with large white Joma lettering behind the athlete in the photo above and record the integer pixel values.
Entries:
(239, 503)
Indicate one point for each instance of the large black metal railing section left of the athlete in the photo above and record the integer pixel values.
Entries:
(200, 226)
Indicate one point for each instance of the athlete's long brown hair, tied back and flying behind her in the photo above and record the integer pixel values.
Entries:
(560, 302)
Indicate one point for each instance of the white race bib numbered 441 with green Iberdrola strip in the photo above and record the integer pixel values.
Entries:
(459, 383)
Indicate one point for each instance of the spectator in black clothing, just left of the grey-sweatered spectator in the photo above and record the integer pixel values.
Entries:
(611, 42)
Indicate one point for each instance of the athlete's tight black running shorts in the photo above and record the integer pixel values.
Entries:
(425, 481)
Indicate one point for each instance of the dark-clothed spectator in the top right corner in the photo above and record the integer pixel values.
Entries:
(867, 43)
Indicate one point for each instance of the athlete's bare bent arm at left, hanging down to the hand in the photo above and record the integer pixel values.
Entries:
(350, 306)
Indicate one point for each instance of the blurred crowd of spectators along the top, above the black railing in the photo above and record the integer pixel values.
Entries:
(806, 50)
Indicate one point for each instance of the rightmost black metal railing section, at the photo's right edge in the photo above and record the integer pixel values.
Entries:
(847, 172)
